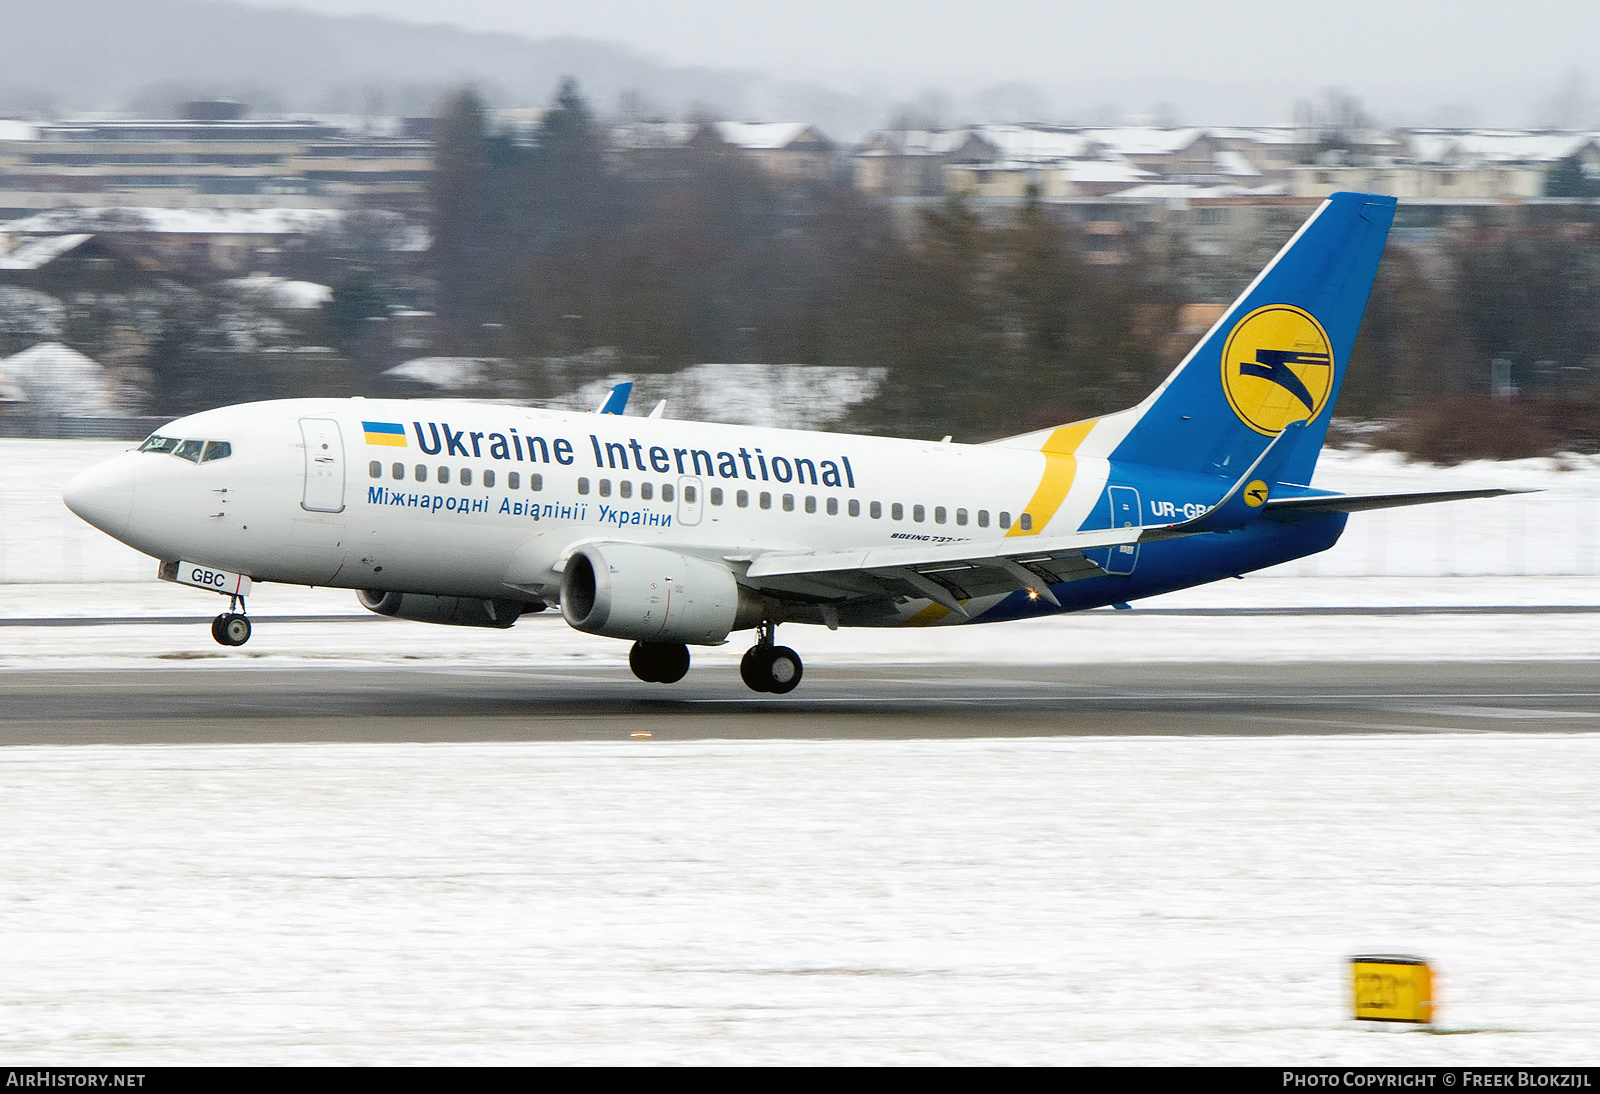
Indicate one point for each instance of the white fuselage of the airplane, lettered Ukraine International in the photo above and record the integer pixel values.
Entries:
(479, 500)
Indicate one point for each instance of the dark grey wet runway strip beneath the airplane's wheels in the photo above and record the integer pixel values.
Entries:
(231, 703)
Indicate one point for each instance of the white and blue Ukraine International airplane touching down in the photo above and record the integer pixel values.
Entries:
(679, 533)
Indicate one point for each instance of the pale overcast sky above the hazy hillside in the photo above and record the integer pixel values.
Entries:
(1489, 63)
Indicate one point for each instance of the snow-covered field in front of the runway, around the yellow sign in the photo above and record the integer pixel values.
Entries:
(1041, 901)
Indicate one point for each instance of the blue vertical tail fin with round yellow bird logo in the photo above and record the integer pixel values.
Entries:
(1276, 357)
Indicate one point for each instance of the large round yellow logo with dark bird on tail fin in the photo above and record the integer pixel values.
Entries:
(1278, 369)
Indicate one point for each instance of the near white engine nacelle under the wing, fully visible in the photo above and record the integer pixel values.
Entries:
(626, 591)
